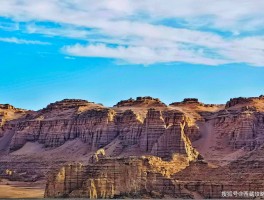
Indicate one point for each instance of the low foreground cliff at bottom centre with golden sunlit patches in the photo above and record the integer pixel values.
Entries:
(116, 178)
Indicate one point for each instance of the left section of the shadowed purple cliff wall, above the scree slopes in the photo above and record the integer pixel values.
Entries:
(93, 126)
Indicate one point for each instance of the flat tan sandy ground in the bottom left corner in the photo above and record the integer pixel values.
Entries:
(14, 189)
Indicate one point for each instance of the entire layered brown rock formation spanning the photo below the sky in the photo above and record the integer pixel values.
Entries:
(139, 148)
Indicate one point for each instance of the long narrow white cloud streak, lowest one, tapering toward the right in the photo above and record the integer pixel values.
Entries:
(141, 54)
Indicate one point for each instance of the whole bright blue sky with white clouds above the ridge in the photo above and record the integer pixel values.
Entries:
(105, 51)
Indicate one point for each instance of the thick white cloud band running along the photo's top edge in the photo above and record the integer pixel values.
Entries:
(222, 14)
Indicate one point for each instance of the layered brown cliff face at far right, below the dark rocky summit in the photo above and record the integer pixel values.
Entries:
(243, 128)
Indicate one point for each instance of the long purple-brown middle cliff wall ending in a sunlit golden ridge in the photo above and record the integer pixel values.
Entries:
(161, 132)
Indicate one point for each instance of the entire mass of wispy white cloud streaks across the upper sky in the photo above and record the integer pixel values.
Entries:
(135, 32)
